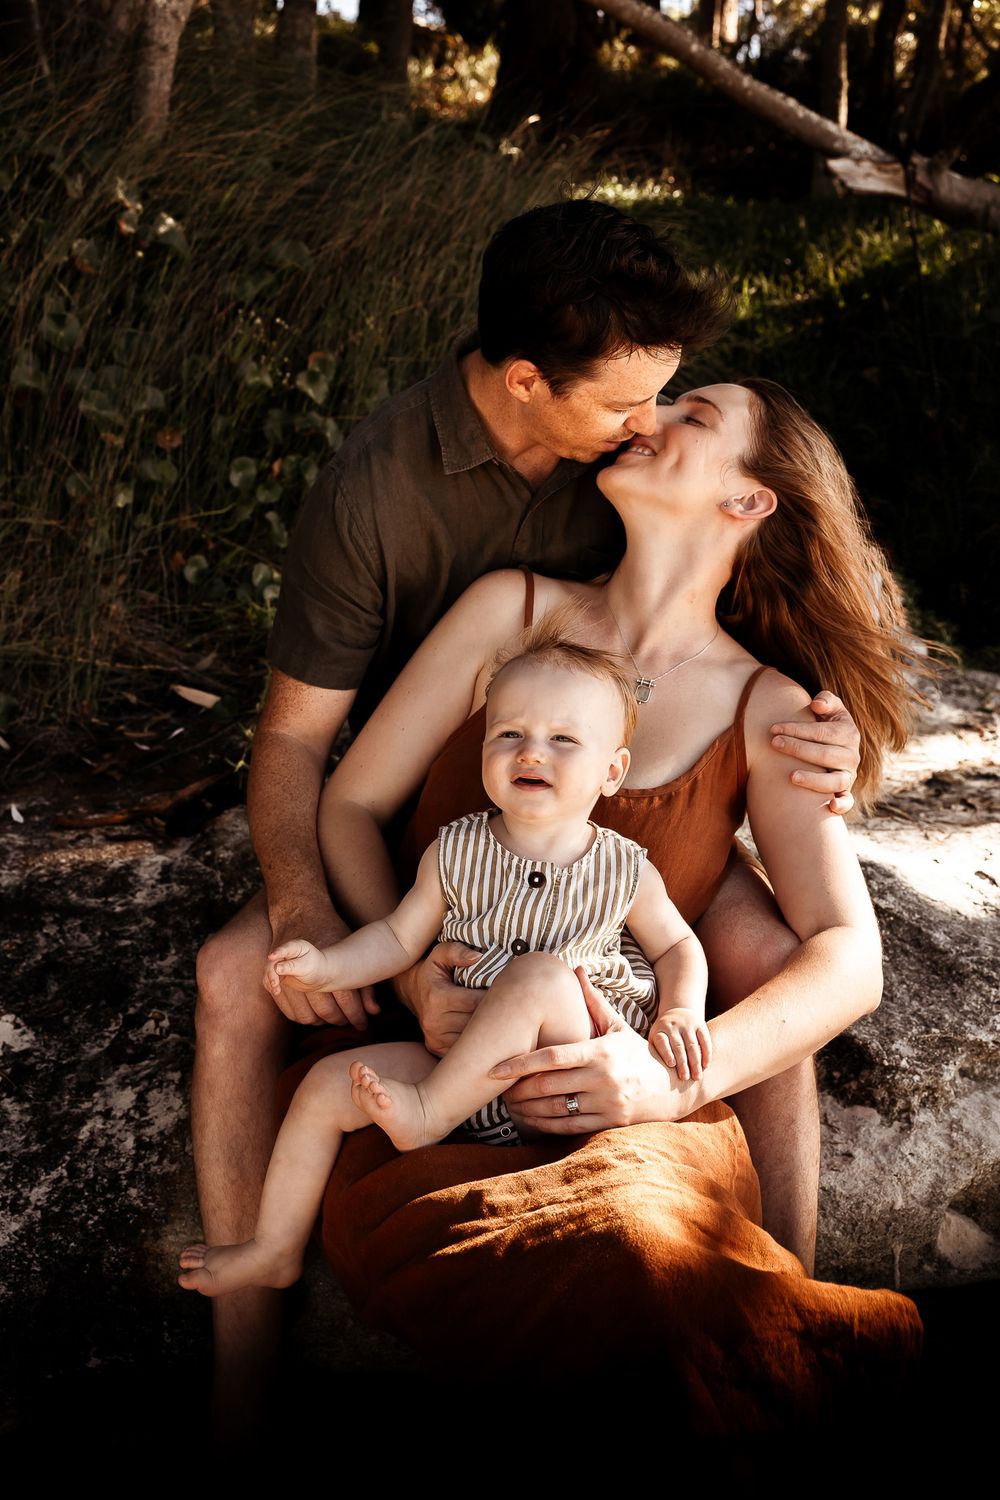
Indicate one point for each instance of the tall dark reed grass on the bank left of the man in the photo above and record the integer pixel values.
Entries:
(193, 331)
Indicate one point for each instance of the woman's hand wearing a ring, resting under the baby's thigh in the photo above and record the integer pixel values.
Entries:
(615, 1078)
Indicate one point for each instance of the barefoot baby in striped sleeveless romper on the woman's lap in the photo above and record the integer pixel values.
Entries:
(542, 893)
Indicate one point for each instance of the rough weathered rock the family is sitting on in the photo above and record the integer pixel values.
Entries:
(101, 932)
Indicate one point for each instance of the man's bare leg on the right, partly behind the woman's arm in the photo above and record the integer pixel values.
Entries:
(747, 943)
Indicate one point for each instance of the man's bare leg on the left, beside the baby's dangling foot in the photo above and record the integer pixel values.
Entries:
(241, 1054)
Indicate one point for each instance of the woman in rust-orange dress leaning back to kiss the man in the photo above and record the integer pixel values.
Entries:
(738, 505)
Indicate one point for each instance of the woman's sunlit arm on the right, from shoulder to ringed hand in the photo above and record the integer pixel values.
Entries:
(831, 980)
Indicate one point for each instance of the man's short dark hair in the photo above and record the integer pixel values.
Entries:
(572, 284)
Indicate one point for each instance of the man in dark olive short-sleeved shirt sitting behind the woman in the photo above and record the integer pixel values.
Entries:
(490, 464)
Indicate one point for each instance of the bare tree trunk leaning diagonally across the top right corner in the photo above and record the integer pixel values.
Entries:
(929, 184)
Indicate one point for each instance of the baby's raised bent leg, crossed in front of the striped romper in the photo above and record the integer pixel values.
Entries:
(536, 1003)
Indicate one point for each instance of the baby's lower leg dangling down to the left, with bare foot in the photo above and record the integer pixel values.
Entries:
(307, 1148)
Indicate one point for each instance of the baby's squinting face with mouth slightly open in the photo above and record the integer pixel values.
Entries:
(552, 742)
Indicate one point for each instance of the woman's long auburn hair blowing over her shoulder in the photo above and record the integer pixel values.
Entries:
(813, 593)
